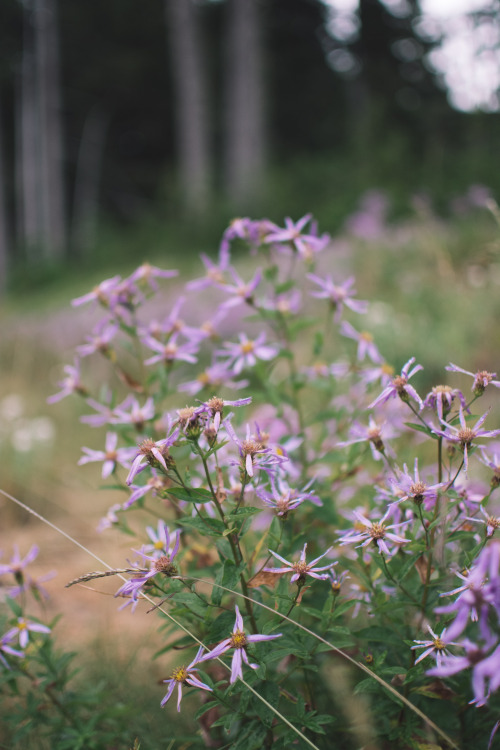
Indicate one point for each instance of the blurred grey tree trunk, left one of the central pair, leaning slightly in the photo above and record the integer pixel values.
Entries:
(190, 103)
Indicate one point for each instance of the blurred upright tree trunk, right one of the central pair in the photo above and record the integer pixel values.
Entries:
(245, 144)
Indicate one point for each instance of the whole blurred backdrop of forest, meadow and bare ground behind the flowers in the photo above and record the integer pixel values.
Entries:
(134, 131)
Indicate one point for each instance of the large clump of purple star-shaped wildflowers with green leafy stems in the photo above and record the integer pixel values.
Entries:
(261, 494)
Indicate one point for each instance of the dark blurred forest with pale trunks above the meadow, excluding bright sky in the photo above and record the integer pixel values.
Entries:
(116, 115)
